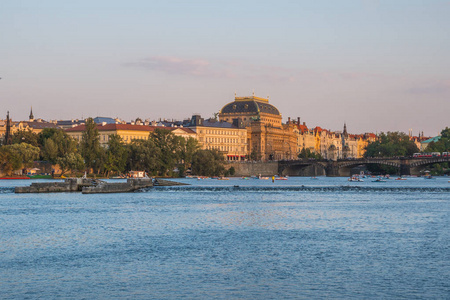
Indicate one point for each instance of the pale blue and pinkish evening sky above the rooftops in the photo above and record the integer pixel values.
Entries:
(375, 65)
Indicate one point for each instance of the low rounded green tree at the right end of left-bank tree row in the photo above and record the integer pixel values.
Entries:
(208, 163)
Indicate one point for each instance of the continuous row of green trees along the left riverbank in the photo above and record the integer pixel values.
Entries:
(162, 154)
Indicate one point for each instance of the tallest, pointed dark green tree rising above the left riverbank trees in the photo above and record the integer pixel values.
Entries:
(90, 146)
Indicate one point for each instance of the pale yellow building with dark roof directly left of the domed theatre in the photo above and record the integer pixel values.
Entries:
(229, 138)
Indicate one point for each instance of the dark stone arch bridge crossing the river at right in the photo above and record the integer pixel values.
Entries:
(342, 167)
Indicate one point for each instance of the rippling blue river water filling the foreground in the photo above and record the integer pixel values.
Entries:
(237, 239)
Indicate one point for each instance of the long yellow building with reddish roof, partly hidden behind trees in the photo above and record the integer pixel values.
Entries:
(127, 132)
